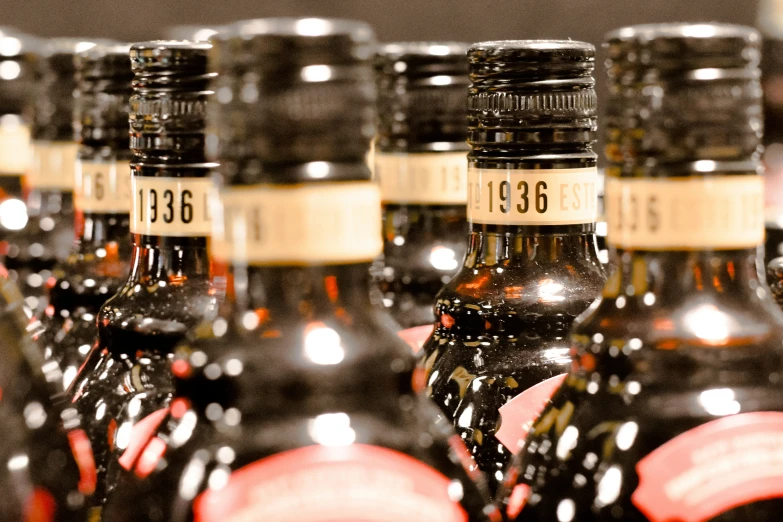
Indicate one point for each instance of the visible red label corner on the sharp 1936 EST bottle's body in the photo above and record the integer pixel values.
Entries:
(518, 414)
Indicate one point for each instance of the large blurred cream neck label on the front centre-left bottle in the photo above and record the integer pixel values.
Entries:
(323, 223)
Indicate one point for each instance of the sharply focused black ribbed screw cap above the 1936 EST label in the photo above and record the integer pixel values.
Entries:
(525, 84)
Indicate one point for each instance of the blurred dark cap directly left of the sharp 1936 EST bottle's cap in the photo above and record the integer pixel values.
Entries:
(422, 94)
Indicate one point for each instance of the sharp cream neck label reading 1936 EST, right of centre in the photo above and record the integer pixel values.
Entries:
(532, 196)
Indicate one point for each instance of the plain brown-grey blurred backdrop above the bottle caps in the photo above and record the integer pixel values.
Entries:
(135, 20)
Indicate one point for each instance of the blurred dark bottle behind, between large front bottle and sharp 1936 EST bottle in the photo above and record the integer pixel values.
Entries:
(420, 160)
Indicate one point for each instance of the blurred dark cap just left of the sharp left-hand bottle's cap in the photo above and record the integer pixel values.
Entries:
(103, 74)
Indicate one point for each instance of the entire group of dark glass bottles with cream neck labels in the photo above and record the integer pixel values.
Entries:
(217, 343)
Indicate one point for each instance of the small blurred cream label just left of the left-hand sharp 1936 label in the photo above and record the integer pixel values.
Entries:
(103, 188)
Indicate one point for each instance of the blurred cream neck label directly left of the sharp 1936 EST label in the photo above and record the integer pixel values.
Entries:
(431, 178)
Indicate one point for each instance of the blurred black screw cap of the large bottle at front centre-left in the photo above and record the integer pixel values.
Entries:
(292, 90)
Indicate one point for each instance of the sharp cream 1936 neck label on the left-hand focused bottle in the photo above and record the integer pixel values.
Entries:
(176, 207)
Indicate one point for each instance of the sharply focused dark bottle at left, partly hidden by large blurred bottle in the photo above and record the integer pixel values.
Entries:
(127, 375)
